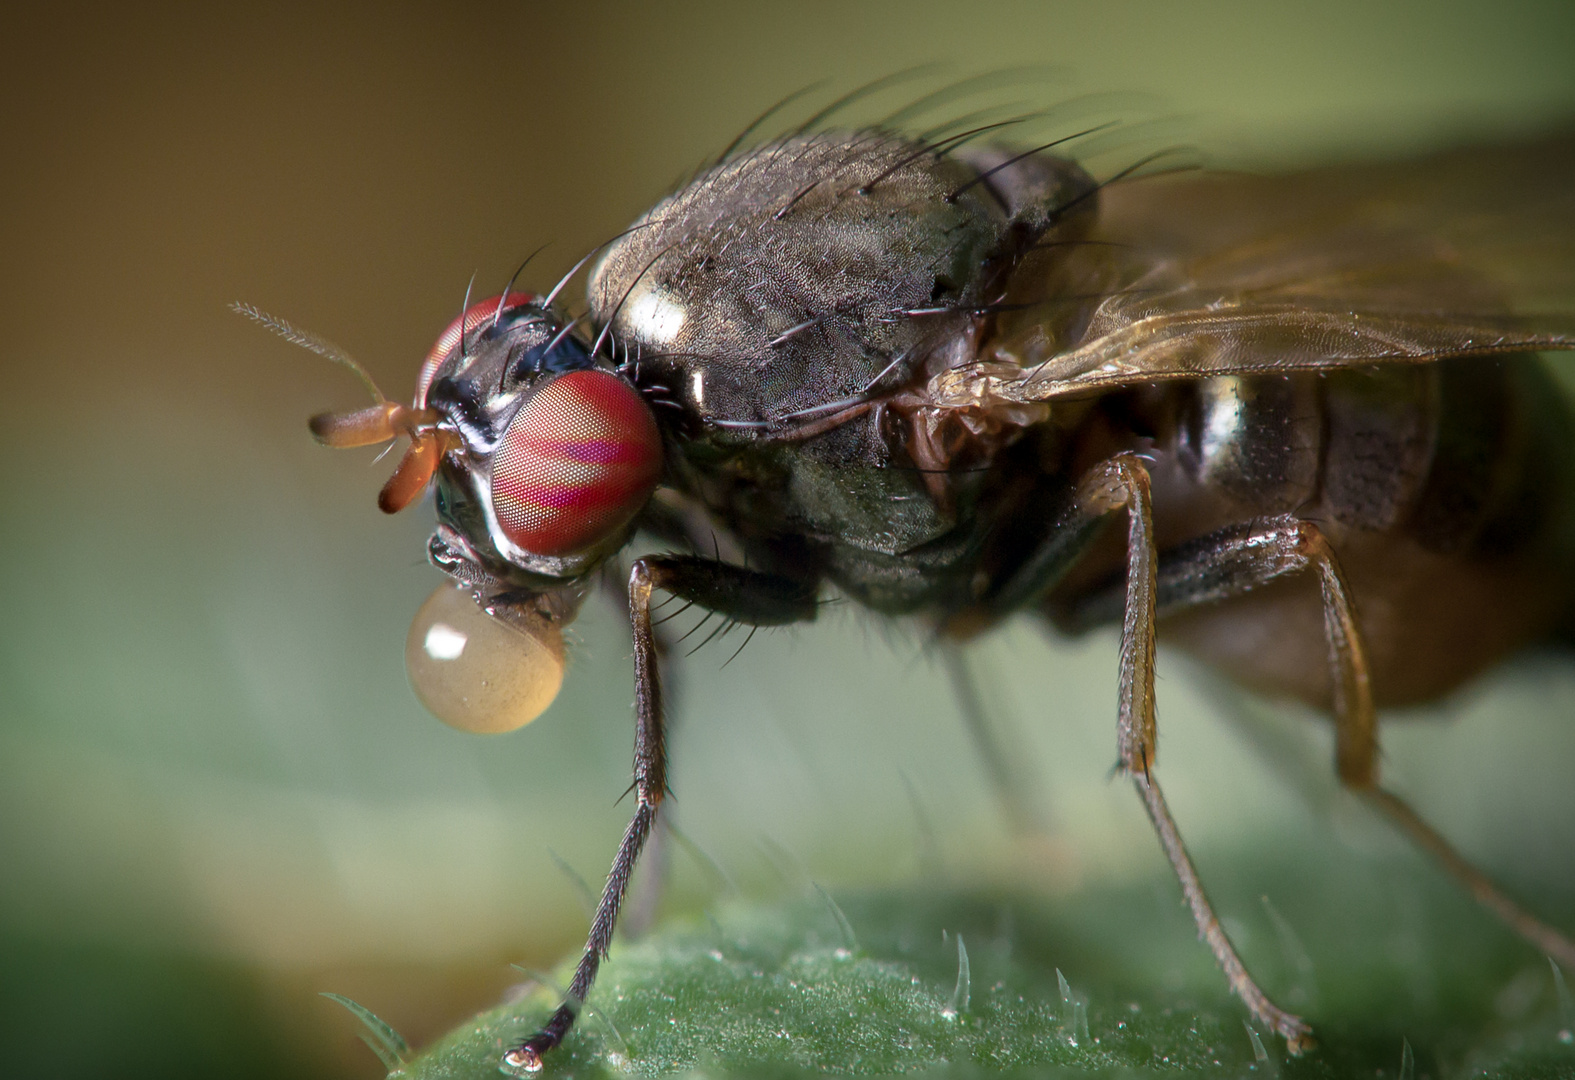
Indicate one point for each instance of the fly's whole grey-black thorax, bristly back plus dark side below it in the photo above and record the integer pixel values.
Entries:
(780, 301)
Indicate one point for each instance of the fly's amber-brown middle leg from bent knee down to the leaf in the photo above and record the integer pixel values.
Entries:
(1122, 484)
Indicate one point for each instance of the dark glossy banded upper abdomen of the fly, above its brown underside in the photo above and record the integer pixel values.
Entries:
(1466, 459)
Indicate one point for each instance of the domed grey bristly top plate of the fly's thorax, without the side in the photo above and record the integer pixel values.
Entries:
(795, 276)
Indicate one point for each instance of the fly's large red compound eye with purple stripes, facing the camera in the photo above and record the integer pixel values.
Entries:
(577, 462)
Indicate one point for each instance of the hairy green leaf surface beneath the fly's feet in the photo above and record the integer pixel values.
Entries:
(774, 991)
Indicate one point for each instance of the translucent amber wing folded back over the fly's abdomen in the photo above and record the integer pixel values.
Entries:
(1469, 253)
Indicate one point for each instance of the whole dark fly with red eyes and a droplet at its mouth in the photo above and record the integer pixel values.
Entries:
(1295, 423)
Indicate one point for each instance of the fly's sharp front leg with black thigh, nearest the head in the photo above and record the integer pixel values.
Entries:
(735, 593)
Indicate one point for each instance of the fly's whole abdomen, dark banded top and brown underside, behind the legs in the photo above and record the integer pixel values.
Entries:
(1447, 492)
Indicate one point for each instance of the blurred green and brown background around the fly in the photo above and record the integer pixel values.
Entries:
(218, 794)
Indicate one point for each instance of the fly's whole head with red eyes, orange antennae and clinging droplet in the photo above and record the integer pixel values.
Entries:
(541, 460)
